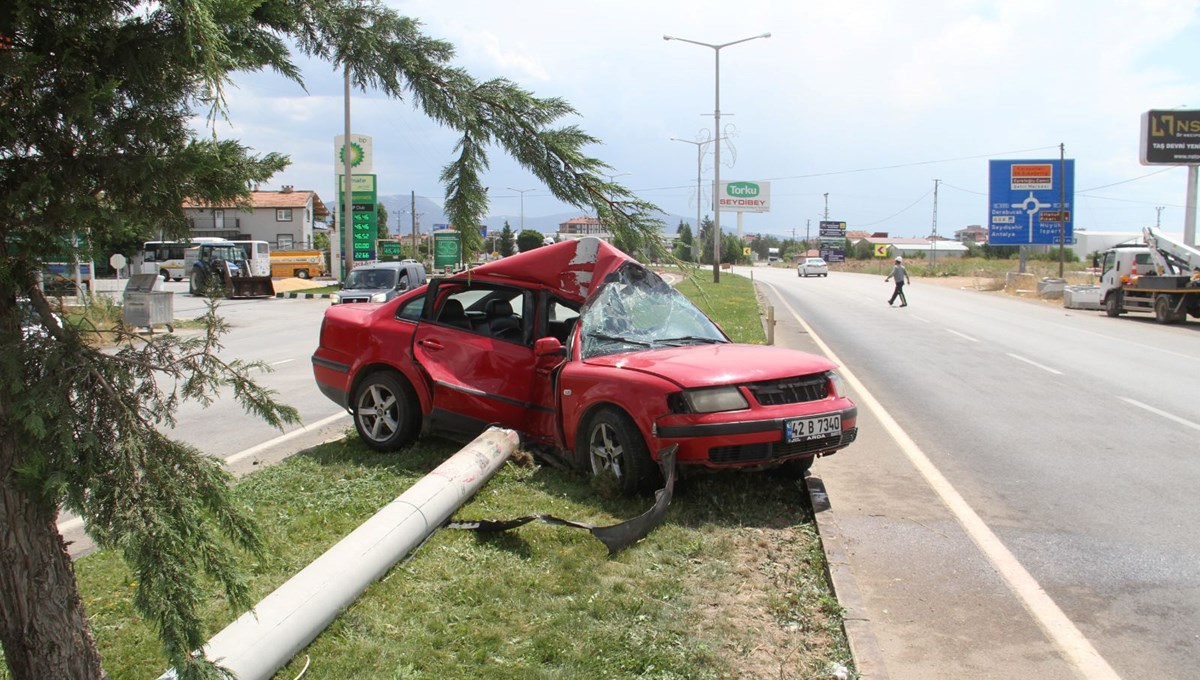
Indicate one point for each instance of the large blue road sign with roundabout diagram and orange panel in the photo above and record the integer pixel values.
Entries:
(1025, 201)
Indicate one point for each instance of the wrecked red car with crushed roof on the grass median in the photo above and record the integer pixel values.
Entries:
(579, 347)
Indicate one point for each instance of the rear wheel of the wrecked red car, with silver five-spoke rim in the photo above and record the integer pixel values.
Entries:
(387, 414)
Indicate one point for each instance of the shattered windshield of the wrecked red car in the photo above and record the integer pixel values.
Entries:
(637, 310)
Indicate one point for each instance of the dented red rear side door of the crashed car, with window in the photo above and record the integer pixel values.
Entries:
(476, 380)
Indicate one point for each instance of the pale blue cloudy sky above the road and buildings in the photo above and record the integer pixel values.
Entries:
(853, 107)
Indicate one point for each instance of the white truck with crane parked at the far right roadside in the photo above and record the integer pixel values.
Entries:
(1160, 275)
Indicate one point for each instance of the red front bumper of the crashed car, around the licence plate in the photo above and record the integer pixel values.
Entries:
(749, 443)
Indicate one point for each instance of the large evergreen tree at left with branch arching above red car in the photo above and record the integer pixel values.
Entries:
(99, 99)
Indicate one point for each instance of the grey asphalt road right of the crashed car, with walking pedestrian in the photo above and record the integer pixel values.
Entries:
(1021, 502)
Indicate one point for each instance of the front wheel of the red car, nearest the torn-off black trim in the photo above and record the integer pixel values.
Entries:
(613, 442)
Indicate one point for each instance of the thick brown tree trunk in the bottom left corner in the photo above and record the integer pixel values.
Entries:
(43, 622)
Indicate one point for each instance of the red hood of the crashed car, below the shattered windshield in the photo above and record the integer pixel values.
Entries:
(711, 365)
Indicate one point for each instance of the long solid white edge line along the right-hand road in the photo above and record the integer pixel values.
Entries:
(1060, 629)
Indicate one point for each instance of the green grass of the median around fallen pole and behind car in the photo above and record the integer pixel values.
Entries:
(733, 586)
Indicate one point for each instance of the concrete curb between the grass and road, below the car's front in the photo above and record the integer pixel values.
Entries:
(865, 648)
